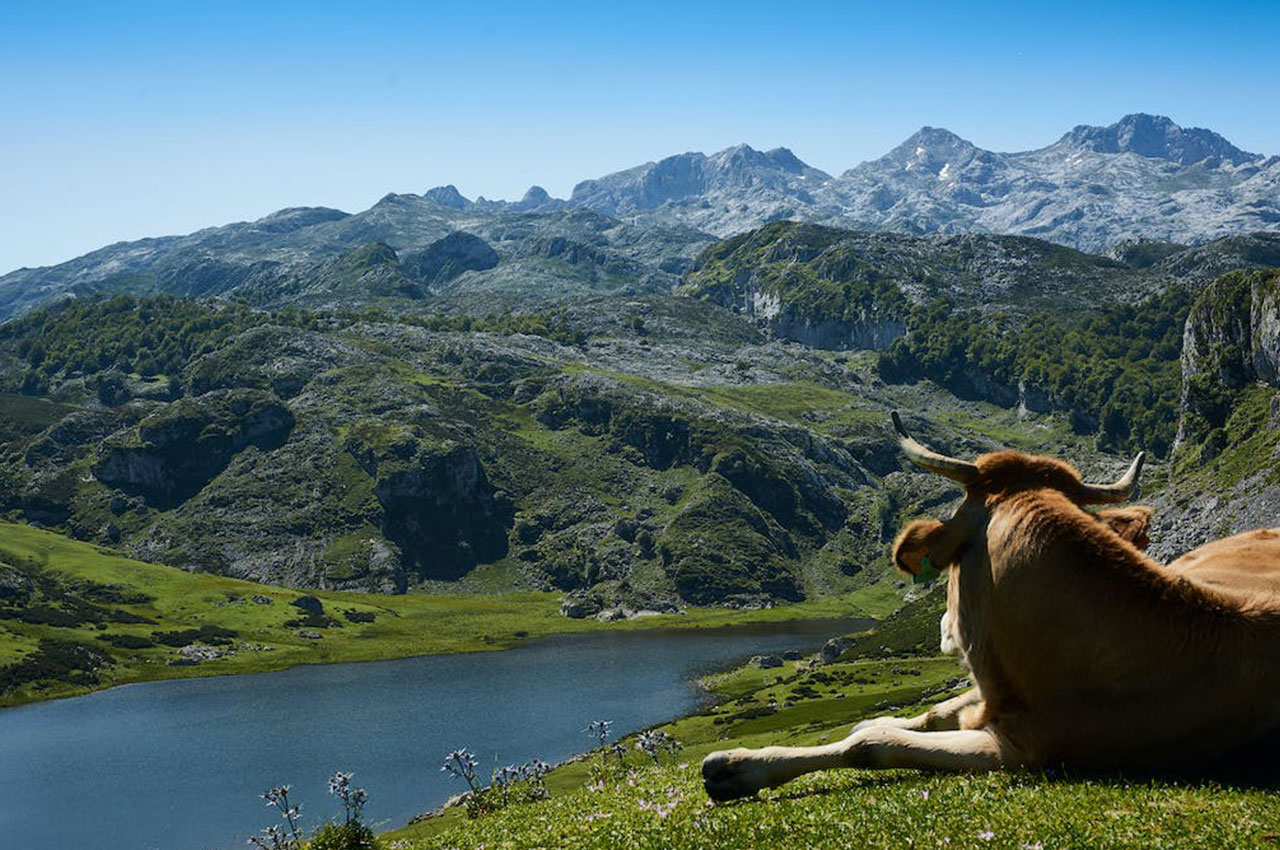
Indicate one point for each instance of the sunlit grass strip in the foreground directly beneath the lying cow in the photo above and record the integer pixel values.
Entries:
(889, 810)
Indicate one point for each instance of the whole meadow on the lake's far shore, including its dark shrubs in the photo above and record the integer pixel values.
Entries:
(61, 598)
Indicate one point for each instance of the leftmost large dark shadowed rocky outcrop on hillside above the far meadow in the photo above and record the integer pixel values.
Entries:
(175, 454)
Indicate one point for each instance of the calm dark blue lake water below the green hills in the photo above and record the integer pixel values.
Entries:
(181, 765)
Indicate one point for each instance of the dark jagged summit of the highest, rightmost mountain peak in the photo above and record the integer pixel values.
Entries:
(1158, 138)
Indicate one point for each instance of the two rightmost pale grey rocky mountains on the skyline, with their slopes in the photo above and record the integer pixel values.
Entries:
(1142, 179)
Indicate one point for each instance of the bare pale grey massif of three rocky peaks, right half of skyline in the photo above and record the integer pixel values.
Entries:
(1141, 179)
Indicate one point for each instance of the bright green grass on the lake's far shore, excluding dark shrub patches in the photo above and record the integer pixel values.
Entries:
(405, 625)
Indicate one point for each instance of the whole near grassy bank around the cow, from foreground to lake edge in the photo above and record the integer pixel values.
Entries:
(853, 808)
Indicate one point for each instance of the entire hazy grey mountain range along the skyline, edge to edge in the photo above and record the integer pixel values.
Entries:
(1141, 180)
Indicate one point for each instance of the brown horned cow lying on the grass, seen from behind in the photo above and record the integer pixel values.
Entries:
(1082, 650)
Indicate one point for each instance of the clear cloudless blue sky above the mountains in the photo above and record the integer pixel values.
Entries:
(129, 120)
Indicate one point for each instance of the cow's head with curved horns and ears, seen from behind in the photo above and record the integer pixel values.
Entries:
(927, 547)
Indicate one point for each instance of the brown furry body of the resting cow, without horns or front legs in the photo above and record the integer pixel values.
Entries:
(1077, 639)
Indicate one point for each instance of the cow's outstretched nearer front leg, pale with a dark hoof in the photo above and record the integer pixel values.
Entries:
(737, 774)
